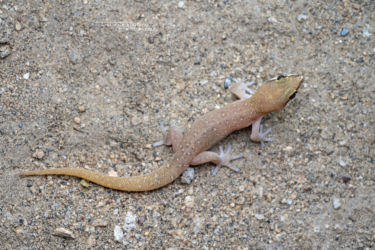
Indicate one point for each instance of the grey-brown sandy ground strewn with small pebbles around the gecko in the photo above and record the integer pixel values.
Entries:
(85, 84)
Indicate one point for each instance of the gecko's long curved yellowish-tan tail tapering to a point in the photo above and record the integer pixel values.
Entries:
(154, 180)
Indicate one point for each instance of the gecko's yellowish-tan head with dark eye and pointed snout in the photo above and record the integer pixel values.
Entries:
(274, 94)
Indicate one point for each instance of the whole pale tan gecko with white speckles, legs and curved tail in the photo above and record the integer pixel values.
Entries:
(190, 148)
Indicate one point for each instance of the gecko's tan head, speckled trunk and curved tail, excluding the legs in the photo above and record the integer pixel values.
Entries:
(204, 133)
